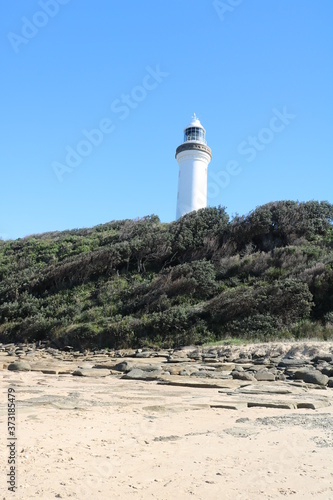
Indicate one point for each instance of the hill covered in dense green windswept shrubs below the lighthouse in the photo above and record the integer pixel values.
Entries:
(128, 283)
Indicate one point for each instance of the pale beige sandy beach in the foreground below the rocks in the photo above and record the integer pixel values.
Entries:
(108, 438)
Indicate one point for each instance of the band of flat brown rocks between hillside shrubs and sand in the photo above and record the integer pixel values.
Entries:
(307, 362)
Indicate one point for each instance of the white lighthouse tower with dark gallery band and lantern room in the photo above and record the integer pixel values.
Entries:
(193, 157)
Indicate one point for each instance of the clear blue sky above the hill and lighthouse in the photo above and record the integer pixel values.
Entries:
(90, 64)
